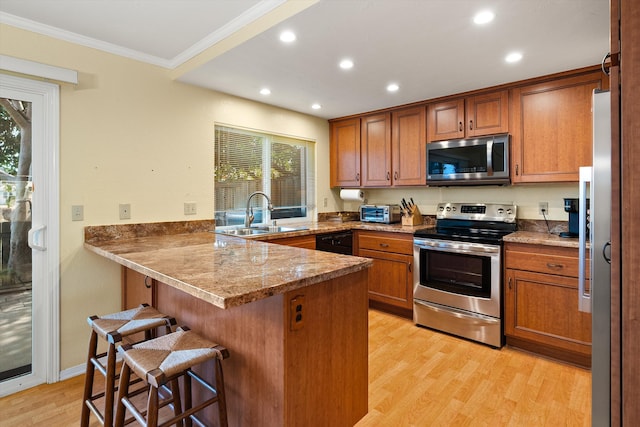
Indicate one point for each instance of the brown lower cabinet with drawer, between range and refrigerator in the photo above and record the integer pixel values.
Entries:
(541, 303)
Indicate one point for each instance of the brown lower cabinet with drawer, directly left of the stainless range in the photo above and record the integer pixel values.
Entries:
(391, 276)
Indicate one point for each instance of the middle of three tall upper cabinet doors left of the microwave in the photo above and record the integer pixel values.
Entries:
(376, 150)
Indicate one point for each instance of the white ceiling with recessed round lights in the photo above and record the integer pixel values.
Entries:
(430, 48)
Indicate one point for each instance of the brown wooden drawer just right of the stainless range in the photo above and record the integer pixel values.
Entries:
(543, 259)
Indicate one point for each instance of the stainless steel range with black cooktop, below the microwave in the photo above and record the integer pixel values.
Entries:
(458, 274)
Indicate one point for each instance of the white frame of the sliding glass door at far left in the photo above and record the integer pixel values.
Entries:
(45, 99)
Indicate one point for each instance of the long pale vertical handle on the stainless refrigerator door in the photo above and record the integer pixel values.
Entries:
(584, 291)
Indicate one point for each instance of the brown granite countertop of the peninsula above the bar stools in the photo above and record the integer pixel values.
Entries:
(225, 271)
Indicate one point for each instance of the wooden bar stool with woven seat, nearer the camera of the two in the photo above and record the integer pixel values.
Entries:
(164, 360)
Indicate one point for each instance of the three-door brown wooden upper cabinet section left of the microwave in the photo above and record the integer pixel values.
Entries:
(379, 150)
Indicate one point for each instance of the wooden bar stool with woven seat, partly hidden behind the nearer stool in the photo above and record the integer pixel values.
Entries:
(114, 328)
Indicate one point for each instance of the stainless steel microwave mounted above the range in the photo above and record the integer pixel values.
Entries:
(476, 161)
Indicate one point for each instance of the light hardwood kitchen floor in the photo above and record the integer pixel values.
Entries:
(417, 377)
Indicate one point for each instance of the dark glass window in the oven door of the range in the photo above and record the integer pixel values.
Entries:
(456, 273)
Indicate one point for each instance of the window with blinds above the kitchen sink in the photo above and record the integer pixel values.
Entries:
(247, 161)
